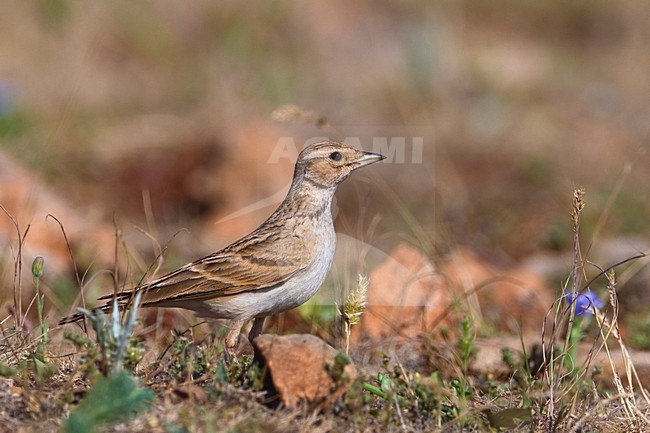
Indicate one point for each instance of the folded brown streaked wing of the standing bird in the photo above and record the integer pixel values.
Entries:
(255, 263)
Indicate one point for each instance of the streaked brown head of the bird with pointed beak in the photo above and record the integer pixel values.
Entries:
(328, 163)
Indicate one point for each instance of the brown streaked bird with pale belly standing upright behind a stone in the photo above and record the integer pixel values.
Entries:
(275, 268)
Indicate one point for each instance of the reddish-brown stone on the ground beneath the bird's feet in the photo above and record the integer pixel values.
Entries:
(303, 370)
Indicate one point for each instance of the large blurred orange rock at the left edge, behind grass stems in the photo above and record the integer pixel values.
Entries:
(30, 202)
